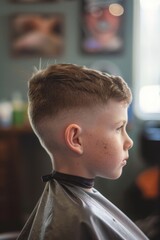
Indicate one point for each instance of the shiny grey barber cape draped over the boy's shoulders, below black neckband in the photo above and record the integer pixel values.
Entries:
(67, 212)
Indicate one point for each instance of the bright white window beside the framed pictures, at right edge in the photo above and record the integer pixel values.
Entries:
(146, 59)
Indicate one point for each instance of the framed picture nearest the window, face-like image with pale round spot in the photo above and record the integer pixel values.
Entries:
(102, 26)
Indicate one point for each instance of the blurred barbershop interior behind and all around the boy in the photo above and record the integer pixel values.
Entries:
(117, 36)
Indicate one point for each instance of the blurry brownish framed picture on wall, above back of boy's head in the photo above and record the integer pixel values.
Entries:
(37, 35)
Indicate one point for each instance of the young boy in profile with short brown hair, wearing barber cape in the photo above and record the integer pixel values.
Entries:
(80, 118)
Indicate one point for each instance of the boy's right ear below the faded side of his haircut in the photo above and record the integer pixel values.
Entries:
(73, 138)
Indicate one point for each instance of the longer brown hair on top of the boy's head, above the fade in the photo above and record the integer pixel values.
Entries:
(66, 86)
